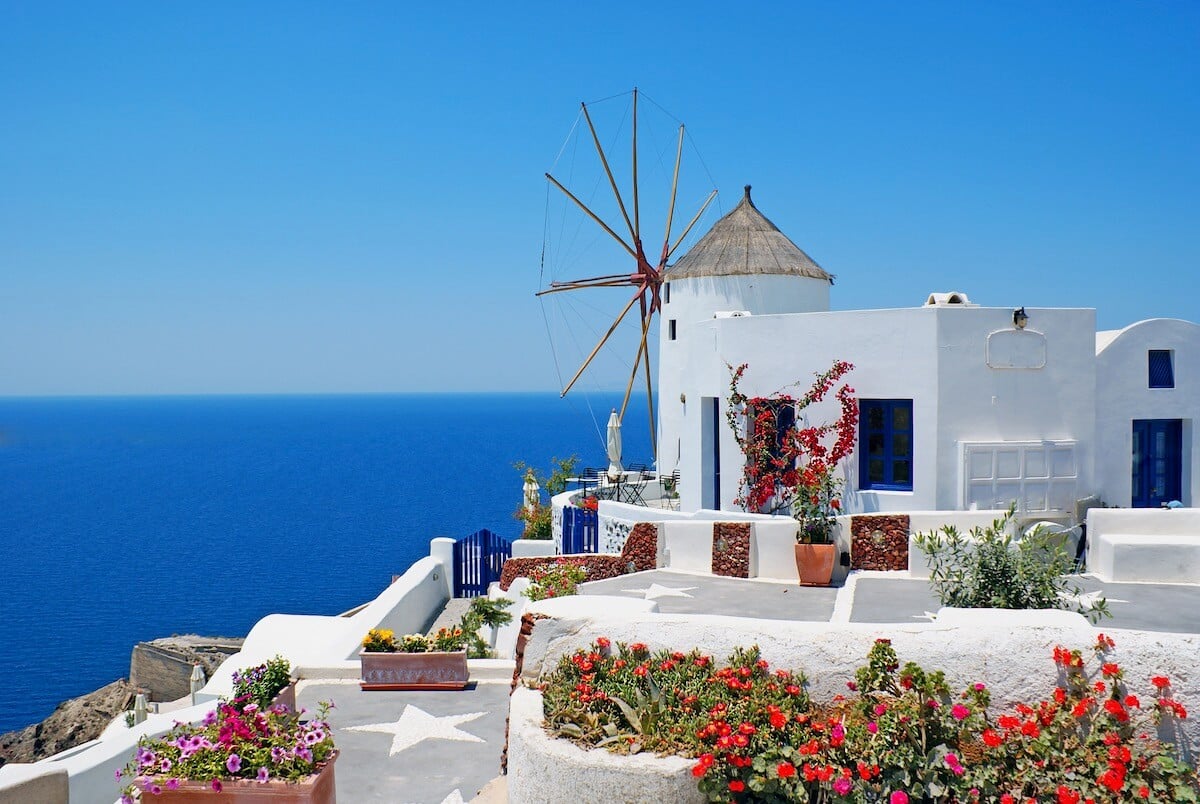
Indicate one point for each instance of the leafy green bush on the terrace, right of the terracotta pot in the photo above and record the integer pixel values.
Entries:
(986, 569)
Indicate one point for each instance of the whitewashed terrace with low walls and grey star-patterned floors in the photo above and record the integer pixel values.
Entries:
(451, 743)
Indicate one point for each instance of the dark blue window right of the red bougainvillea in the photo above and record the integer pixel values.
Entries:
(885, 445)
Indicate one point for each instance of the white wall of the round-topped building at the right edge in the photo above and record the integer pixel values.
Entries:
(1124, 394)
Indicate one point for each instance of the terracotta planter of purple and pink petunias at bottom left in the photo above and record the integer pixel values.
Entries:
(239, 754)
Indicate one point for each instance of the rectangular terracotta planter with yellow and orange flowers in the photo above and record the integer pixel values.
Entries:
(435, 662)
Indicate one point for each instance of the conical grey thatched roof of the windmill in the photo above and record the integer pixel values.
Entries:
(745, 243)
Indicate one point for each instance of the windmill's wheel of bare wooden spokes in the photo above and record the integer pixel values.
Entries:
(646, 278)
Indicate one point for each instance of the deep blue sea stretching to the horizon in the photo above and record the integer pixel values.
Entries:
(129, 519)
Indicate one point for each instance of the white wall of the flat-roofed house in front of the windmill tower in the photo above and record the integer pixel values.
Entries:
(938, 357)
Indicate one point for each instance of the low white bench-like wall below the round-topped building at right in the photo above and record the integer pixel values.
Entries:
(1144, 545)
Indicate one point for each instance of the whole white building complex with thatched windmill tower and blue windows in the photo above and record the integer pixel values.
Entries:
(962, 406)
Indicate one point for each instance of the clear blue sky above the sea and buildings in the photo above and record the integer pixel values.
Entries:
(350, 197)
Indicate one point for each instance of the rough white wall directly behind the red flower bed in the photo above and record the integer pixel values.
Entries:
(1010, 652)
